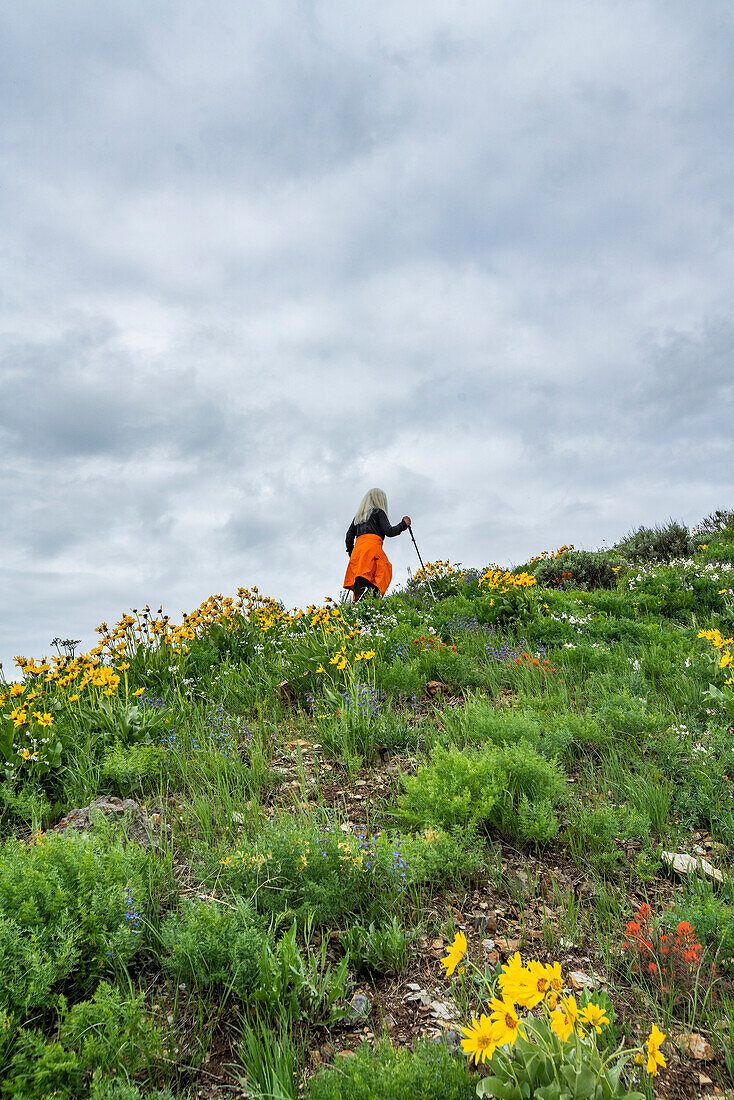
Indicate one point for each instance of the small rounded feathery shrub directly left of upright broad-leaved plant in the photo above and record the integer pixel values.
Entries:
(213, 944)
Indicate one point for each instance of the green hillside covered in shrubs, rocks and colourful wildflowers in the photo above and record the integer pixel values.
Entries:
(335, 838)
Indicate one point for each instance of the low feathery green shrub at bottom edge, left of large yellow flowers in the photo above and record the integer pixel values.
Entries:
(430, 1073)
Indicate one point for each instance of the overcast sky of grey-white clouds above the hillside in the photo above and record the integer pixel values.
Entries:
(260, 257)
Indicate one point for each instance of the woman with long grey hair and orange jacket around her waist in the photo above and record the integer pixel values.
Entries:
(369, 569)
